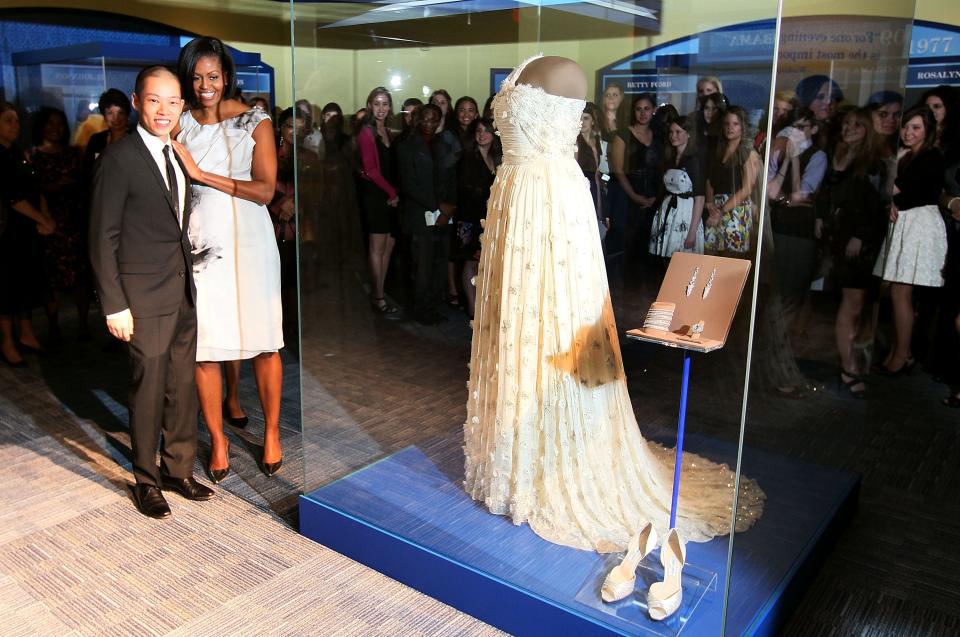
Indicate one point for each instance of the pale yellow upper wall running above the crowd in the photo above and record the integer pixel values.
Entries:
(346, 76)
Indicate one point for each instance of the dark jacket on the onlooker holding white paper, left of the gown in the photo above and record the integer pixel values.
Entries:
(426, 179)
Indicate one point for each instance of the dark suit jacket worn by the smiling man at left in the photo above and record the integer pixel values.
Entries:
(141, 257)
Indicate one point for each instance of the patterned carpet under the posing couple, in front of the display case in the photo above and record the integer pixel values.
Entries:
(76, 558)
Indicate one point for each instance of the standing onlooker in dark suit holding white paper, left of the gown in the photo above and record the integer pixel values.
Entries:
(428, 181)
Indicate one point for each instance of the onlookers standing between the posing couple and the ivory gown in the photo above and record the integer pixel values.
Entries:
(419, 190)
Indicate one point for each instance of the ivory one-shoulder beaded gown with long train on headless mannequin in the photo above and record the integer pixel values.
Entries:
(551, 438)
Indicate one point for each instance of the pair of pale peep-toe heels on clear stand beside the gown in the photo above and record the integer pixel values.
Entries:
(663, 598)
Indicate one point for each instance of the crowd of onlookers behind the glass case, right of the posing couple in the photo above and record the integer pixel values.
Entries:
(861, 198)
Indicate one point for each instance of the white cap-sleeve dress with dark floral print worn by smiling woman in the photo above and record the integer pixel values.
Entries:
(236, 265)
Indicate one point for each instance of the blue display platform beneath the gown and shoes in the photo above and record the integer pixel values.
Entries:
(408, 517)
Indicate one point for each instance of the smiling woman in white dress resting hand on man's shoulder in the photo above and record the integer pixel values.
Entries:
(230, 153)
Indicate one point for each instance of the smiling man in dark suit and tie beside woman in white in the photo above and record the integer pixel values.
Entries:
(142, 258)
